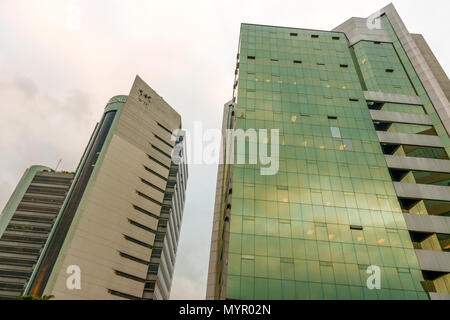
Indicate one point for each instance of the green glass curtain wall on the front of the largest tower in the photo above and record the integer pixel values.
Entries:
(290, 233)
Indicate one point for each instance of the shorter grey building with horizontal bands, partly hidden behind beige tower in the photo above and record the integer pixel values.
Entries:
(25, 225)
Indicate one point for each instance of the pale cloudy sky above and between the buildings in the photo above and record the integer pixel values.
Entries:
(61, 60)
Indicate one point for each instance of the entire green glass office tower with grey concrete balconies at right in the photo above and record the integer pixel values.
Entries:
(363, 180)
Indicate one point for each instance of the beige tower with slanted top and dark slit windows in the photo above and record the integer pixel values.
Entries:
(113, 228)
